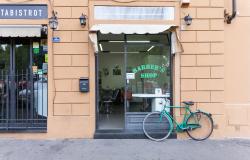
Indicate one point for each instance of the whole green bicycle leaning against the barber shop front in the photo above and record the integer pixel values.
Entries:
(158, 126)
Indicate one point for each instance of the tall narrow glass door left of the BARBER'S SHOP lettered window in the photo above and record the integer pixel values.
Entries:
(111, 81)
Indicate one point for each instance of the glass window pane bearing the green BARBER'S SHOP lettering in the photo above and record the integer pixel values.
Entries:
(148, 73)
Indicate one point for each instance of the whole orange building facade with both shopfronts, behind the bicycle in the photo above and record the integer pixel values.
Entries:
(212, 69)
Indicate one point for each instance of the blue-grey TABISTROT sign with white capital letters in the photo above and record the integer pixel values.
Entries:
(23, 12)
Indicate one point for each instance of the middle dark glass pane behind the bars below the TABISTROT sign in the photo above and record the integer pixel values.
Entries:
(21, 92)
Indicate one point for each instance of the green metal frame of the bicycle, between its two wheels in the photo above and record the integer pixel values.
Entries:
(180, 127)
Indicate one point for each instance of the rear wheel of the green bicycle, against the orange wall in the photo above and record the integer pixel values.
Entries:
(206, 126)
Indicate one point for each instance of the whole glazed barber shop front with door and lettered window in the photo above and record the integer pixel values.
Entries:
(134, 77)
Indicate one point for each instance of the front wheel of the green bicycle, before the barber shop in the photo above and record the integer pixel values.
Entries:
(157, 126)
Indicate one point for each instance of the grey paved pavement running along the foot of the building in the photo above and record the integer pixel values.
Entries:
(234, 149)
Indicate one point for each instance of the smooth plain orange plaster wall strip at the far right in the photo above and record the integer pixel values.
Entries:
(237, 71)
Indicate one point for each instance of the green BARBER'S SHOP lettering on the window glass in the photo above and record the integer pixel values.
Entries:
(148, 67)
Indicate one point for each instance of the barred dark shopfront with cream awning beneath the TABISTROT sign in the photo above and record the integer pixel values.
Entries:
(23, 78)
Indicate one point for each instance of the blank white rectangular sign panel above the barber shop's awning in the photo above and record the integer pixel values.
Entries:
(133, 13)
